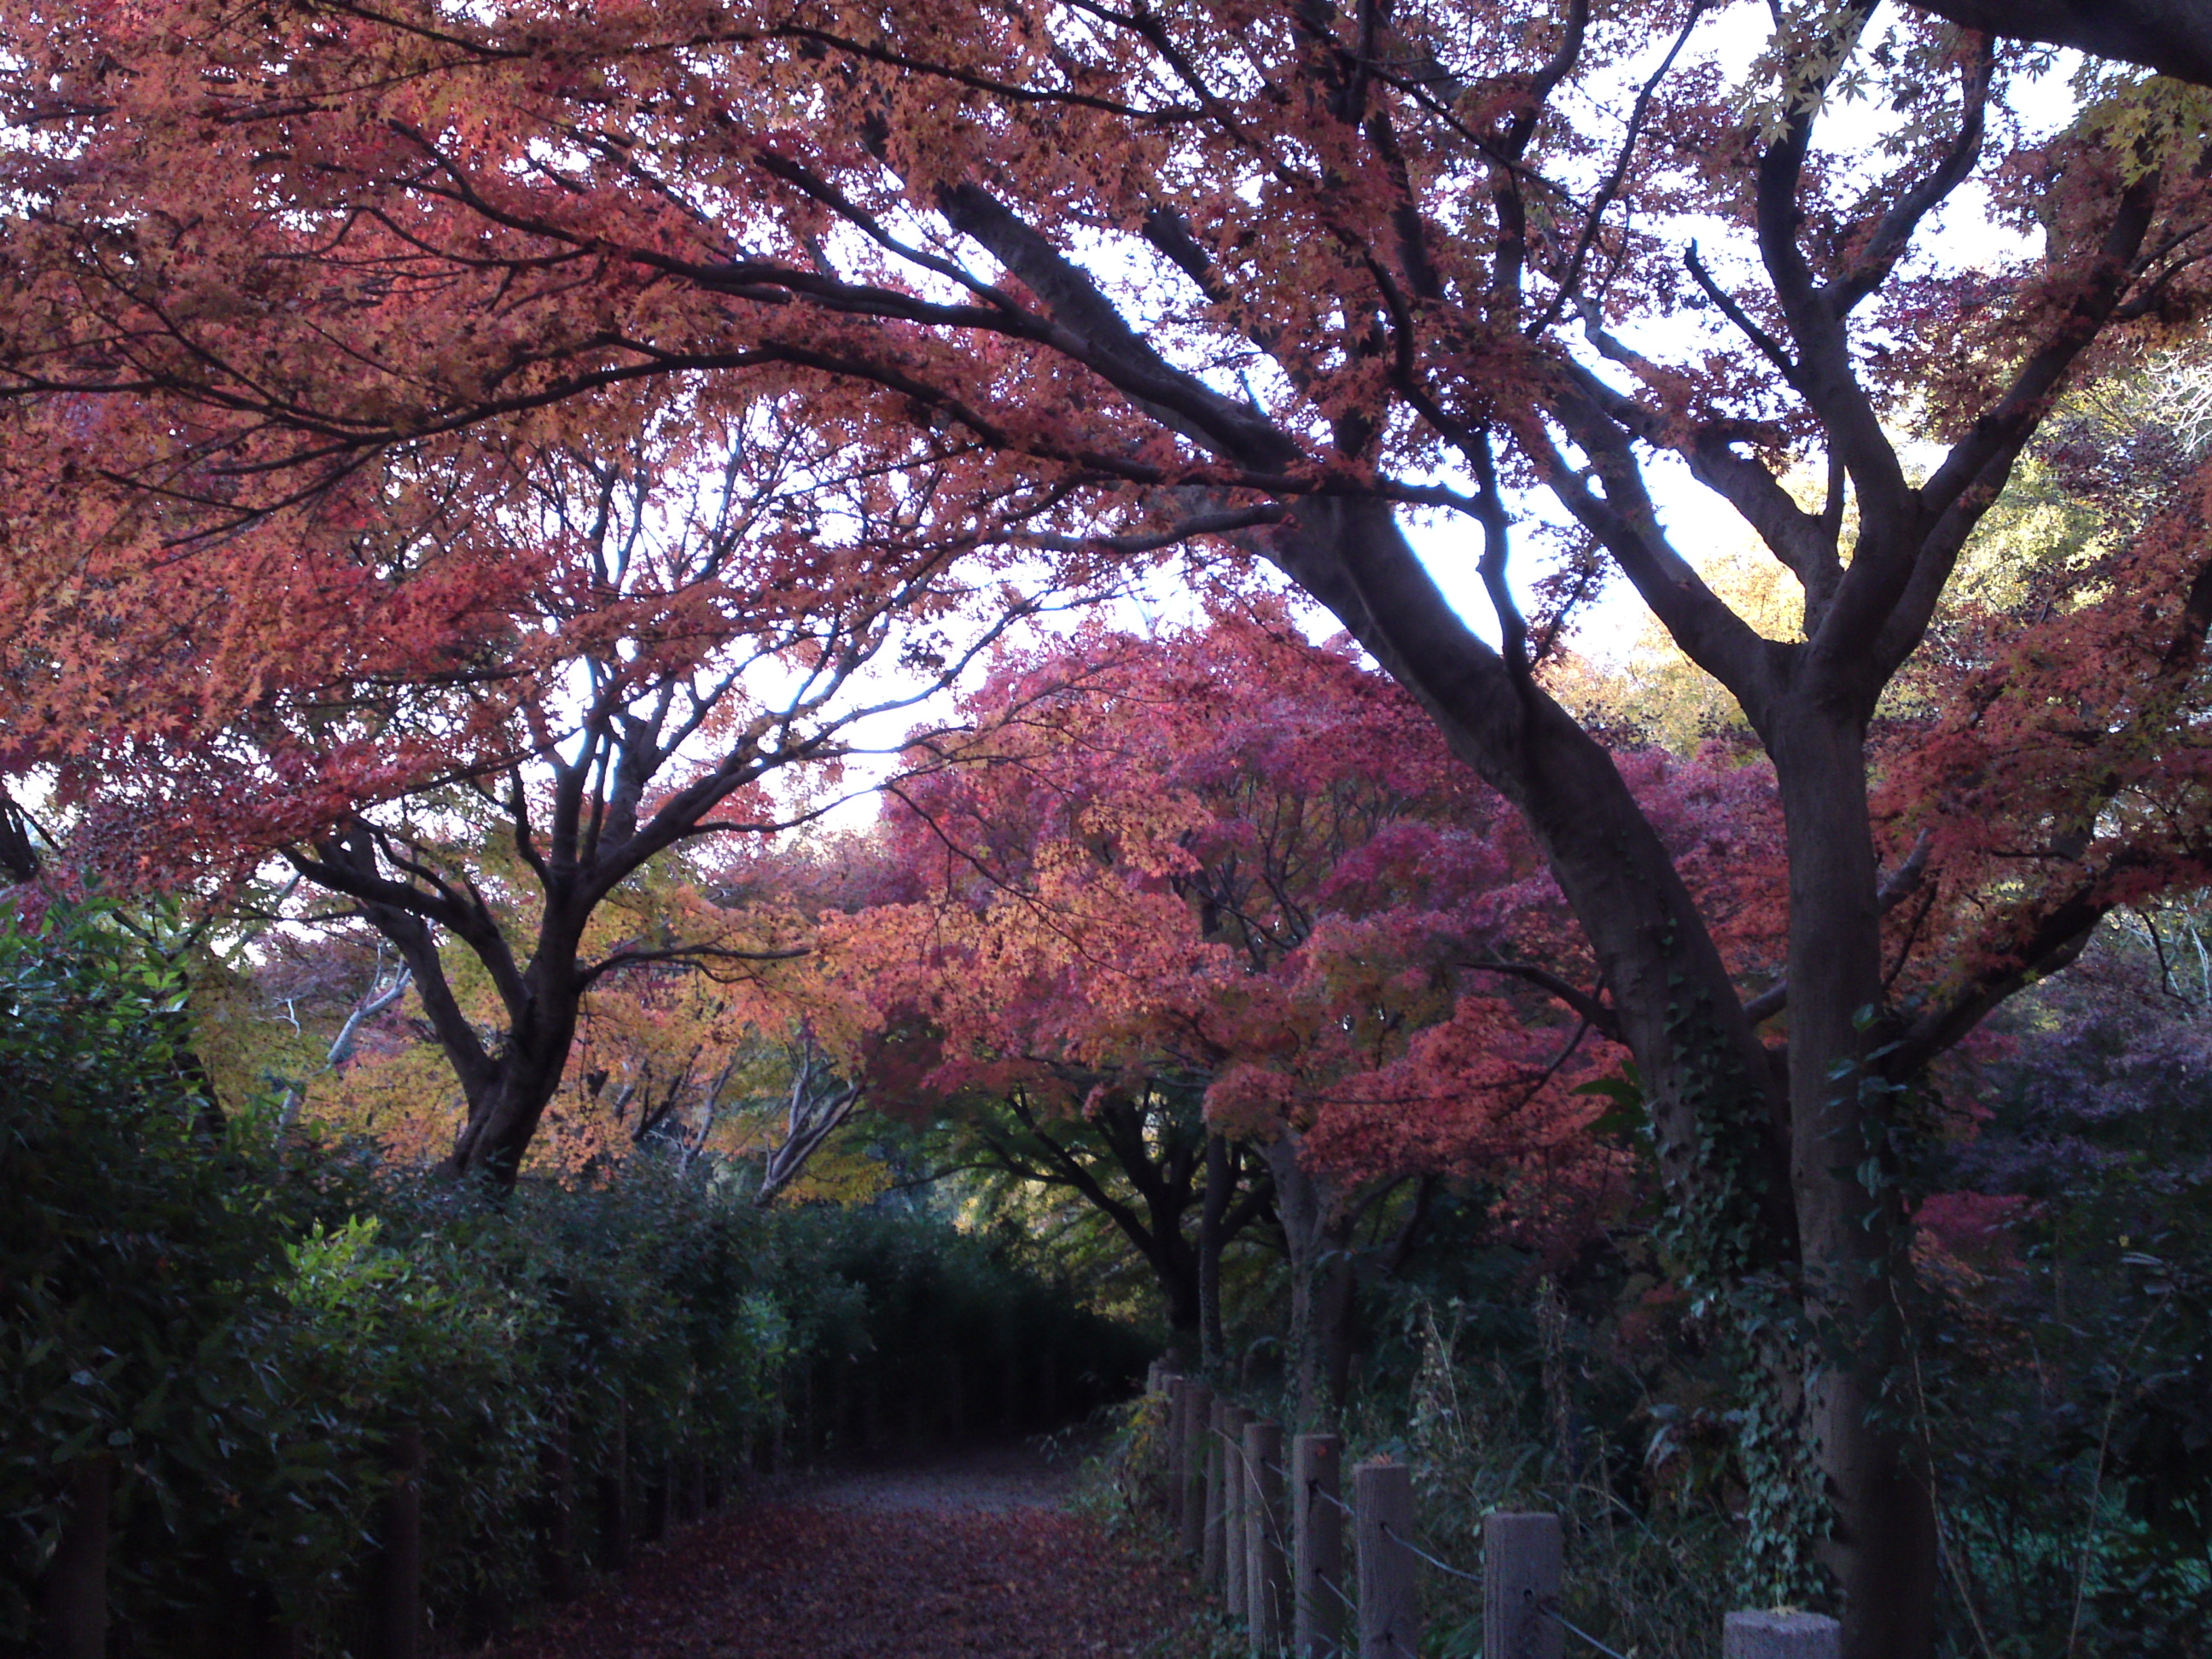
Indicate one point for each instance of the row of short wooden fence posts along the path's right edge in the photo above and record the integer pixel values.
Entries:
(1269, 1534)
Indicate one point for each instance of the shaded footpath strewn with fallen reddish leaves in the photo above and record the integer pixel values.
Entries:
(926, 1558)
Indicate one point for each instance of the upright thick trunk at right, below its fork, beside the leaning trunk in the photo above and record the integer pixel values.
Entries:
(1850, 1220)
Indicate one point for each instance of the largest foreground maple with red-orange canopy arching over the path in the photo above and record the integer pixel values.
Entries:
(1291, 273)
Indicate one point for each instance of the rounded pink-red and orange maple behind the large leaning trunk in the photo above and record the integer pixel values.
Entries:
(1213, 930)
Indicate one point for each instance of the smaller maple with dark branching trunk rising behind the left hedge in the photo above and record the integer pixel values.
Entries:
(687, 623)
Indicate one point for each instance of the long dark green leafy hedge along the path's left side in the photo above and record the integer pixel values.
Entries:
(240, 1333)
